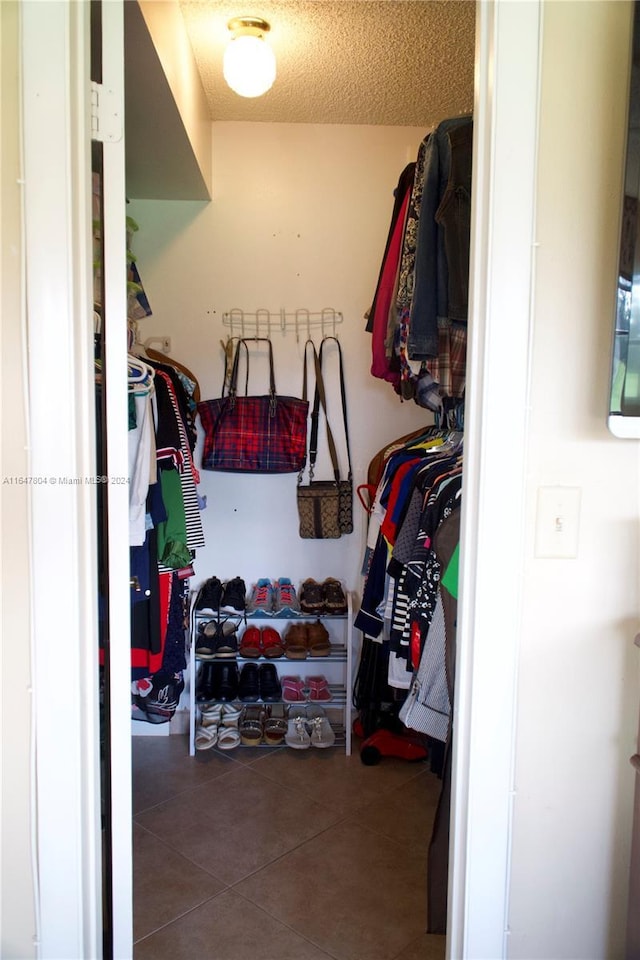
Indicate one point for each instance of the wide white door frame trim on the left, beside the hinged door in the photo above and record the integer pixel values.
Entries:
(62, 535)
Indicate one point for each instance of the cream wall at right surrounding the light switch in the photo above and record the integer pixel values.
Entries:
(578, 693)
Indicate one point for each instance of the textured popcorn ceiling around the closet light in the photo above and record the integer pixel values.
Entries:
(386, 62)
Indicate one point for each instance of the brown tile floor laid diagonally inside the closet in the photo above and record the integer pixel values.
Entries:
(276, 854)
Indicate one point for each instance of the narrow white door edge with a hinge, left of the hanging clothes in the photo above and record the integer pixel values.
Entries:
(117, 448)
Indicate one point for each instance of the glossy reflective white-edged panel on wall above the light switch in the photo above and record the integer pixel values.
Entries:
(624, 401)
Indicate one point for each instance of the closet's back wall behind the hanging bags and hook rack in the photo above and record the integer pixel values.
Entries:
(299, 219)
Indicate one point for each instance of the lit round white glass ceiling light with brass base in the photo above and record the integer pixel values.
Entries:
(249, 64)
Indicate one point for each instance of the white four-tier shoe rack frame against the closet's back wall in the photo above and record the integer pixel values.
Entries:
(337, 667)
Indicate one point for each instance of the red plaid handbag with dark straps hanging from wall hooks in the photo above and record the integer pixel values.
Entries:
(262, 434)
